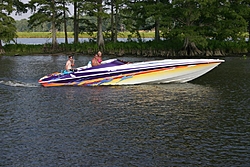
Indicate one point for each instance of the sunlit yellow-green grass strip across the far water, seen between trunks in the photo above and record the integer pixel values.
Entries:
(82, 35)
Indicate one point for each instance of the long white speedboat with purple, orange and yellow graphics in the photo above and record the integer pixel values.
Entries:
(118, 72)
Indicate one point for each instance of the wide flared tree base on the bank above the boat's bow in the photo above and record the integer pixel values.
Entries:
(189, 49)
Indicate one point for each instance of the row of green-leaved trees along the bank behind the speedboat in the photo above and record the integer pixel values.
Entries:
(195, 23)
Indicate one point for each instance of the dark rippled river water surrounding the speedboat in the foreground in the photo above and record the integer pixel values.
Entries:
(205, 122)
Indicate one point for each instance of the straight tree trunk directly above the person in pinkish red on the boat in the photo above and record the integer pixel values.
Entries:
(100, 40)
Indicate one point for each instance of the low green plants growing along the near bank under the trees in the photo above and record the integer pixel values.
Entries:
(119, 48)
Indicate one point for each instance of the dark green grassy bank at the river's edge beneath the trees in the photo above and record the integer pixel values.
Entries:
(167, 48)
